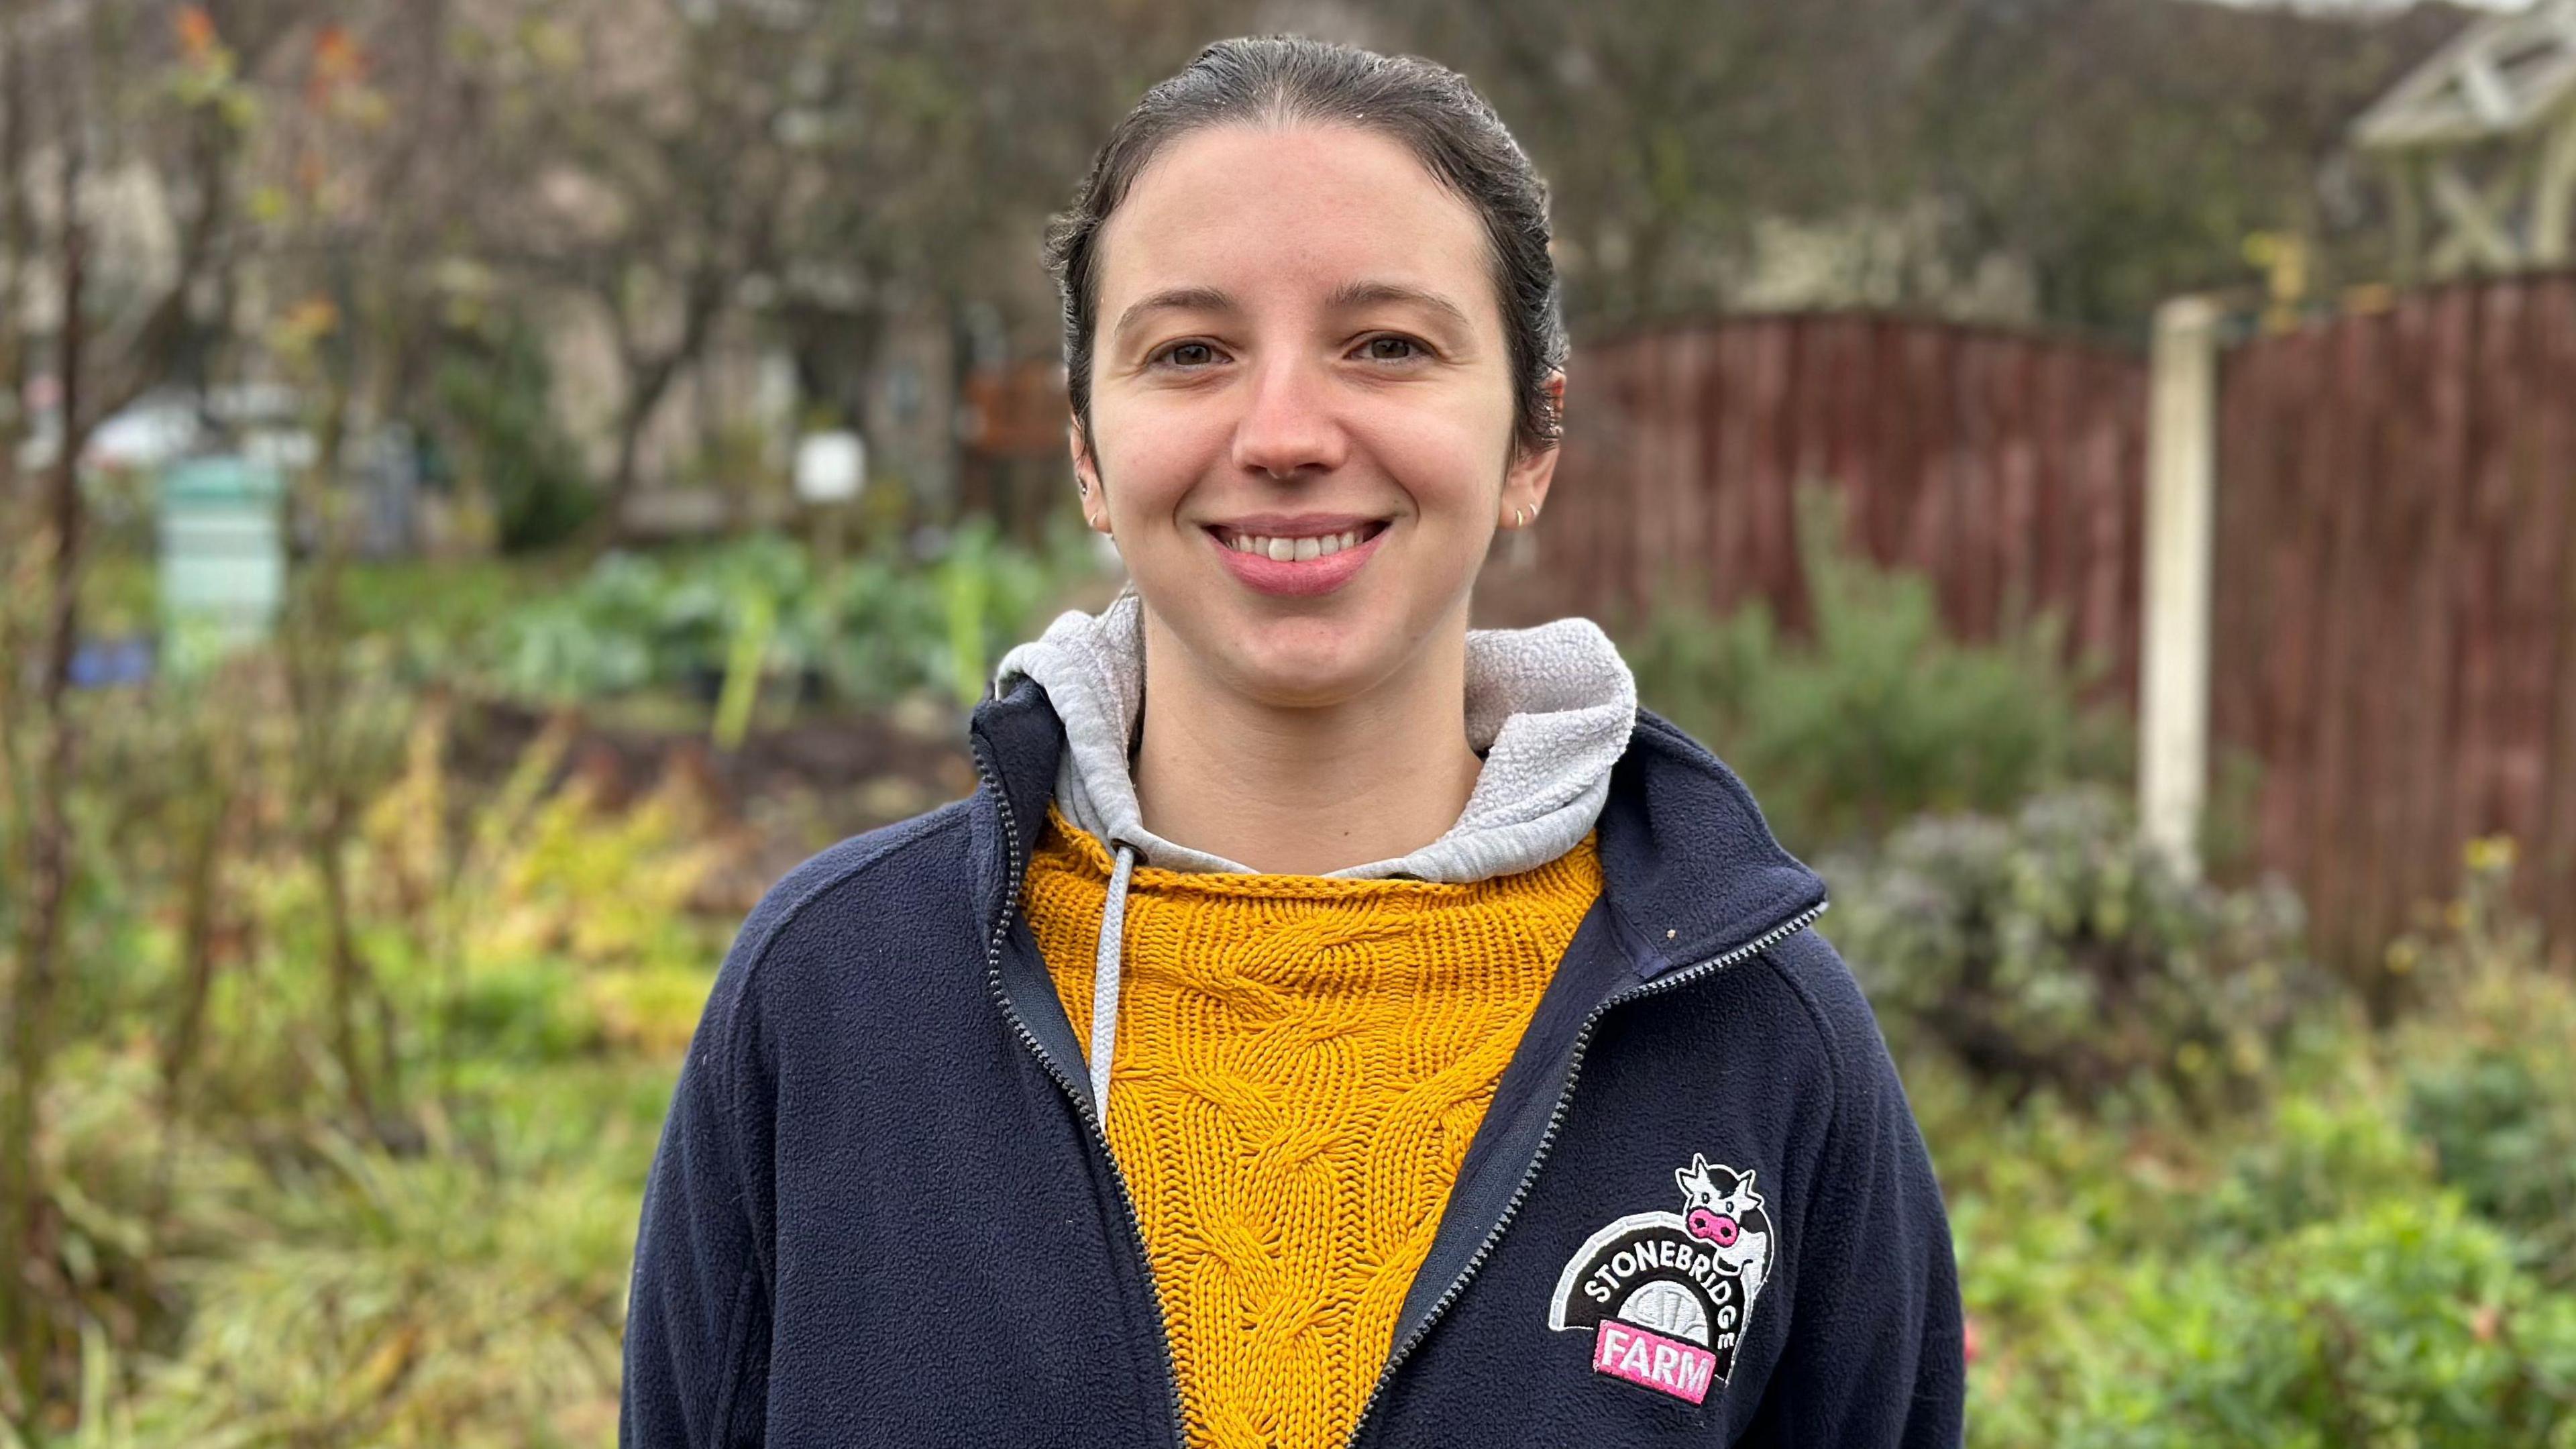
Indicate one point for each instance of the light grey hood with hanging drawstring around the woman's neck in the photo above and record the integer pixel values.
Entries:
(1549, 710)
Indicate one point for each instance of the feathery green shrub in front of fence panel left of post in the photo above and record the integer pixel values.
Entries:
(1879, 713)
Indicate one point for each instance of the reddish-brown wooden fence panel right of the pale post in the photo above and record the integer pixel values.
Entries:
(2394, 620)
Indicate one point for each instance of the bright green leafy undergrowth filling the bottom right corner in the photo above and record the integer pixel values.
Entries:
(2376, 1257)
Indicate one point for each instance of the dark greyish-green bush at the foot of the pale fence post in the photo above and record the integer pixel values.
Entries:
(2057, 950)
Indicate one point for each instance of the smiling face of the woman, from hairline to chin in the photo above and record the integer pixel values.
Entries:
(1302, 406)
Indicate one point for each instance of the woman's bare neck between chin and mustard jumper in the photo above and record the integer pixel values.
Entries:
(1305, 790)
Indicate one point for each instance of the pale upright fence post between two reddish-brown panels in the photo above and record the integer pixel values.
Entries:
(2181, 525)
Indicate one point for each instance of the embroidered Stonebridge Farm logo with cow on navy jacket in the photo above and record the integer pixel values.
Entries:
(1665, 1296)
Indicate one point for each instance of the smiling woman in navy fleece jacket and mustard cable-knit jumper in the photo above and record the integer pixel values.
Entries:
(1325, 1022)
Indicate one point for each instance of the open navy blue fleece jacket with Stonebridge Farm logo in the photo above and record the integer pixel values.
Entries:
(1696, 1213)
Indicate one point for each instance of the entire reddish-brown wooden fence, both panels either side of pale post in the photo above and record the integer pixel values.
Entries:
(2394, 602)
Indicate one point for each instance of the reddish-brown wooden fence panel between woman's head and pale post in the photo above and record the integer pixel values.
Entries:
(2005, 468)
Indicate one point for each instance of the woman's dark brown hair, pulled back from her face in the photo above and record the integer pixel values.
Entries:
(1426, 107)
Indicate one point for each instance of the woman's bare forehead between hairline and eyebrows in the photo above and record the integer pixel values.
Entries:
(1292, 215)
